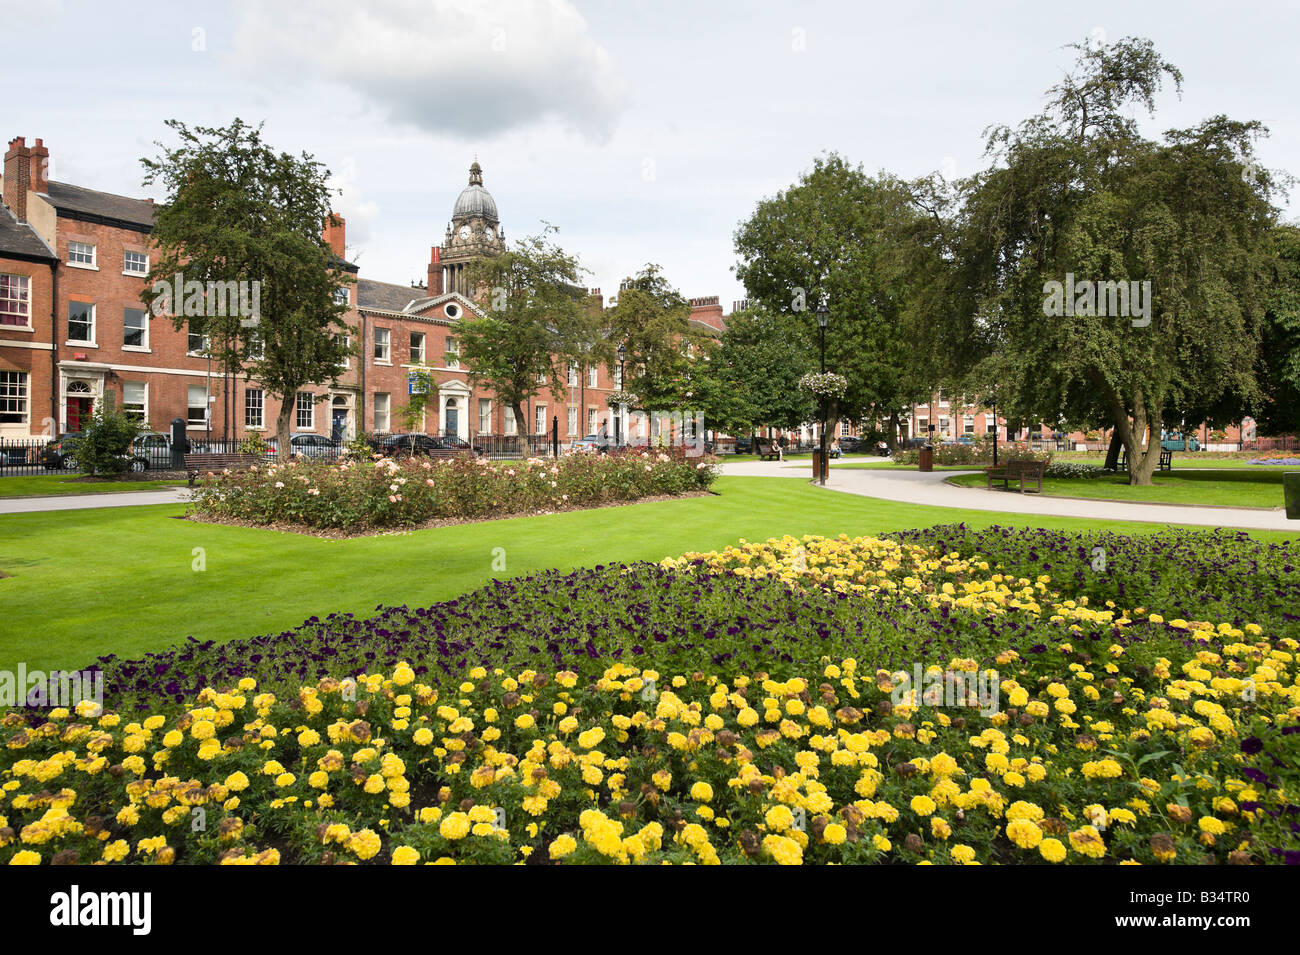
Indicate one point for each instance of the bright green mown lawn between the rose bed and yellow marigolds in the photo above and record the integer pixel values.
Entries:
(86, 583)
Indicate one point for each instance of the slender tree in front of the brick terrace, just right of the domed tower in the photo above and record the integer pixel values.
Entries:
(535, 320)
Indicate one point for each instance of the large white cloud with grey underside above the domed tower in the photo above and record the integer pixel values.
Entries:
(471, 68)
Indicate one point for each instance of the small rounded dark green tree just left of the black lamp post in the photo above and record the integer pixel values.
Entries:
(755, 372)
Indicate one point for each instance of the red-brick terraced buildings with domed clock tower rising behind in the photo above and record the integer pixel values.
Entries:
(75, 332)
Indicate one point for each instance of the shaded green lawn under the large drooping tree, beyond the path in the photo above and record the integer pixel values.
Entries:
(1255, 488)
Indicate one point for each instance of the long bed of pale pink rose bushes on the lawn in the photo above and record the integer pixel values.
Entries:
(358, 497)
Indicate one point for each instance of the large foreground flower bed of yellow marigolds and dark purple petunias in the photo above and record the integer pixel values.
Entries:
(742, 706)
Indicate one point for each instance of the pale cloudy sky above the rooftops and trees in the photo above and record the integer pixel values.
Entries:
(645, 132)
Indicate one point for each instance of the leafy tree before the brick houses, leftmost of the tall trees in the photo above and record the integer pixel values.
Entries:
(245, 223)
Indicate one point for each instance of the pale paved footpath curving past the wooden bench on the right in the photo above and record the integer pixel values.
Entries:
(916, 488)
